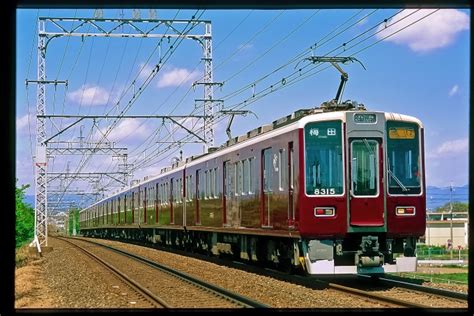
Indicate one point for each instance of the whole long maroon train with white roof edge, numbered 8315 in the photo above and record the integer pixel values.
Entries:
(327, 190)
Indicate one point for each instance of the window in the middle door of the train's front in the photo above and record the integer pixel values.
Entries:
(364, 167)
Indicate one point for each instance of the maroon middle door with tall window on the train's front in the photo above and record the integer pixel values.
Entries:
(366, 186)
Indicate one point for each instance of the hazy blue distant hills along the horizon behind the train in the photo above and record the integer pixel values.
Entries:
(435, 196)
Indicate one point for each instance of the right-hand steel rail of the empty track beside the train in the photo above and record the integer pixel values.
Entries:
(226, 294)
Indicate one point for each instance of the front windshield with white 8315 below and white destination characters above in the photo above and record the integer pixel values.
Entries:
(323, 158)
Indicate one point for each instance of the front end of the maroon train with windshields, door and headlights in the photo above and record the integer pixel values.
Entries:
(362, 194)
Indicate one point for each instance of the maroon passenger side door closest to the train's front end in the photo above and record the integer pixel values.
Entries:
(266, 187)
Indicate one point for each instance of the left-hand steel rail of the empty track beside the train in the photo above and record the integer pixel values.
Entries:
(140, 289)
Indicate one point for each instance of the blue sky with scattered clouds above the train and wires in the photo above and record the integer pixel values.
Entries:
(422, 71)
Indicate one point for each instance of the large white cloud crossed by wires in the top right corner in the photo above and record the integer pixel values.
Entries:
(436, 31)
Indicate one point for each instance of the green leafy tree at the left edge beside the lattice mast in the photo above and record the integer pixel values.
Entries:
(25, 217)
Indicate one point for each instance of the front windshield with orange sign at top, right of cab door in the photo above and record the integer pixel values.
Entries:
(403, 156)
